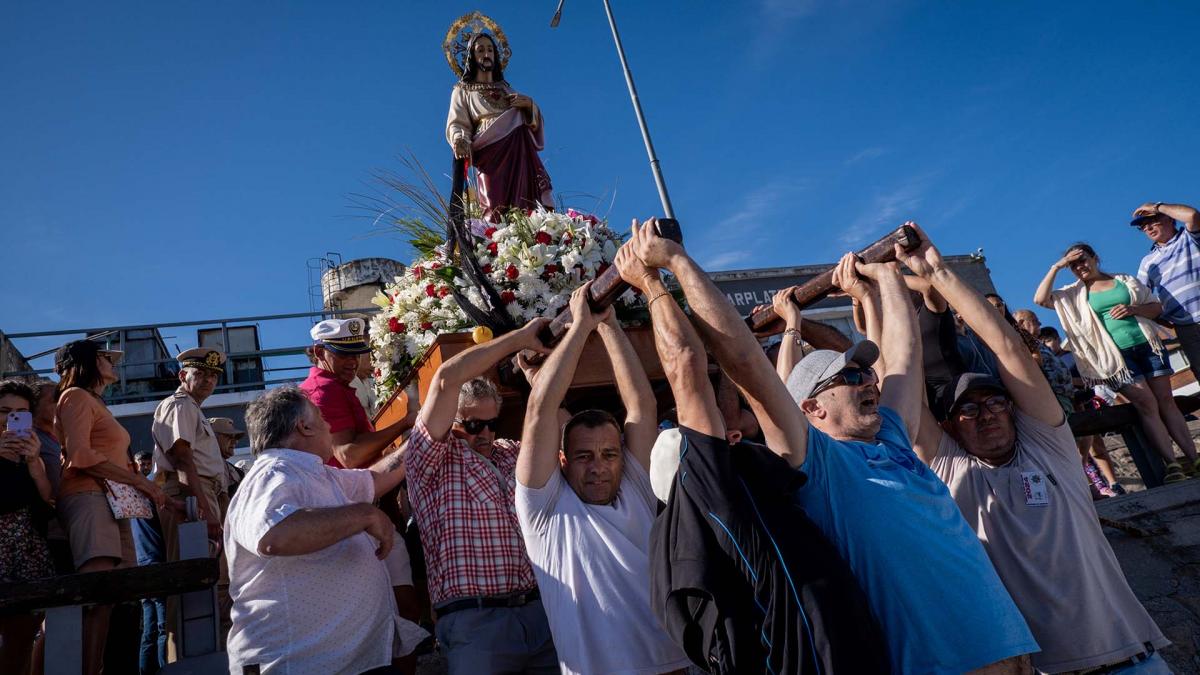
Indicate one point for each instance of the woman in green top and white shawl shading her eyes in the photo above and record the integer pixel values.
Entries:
(1108, 320)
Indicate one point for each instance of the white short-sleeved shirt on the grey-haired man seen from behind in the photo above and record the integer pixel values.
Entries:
(329, 612)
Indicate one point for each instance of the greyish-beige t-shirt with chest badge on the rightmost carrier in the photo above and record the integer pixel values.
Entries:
(1036, 521)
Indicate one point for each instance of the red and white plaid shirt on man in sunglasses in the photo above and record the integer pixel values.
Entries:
(464, 507)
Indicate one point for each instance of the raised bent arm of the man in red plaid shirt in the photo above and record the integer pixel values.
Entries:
(442, 401)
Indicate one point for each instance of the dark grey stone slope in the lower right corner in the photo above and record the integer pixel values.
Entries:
(1156, 535)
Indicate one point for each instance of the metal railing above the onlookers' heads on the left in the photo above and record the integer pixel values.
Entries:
(275, 360)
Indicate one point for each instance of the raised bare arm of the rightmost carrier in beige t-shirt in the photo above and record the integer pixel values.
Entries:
(1021, 375)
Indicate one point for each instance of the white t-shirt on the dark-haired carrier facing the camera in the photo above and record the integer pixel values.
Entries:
(593, 570)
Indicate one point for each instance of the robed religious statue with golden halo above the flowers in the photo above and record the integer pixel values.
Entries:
(493, 126)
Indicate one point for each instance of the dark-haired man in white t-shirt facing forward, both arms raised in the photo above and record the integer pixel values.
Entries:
(586, 507)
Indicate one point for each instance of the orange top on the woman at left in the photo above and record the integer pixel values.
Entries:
(89, 435)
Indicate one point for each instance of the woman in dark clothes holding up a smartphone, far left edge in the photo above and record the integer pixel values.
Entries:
(25, 489)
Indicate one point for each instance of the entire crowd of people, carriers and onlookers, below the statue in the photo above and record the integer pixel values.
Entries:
(913, 503)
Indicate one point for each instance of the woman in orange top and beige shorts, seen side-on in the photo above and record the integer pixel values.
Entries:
(95, 450)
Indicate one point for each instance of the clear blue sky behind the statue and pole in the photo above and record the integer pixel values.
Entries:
(166, 162)
